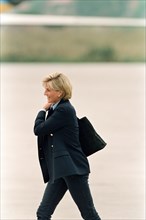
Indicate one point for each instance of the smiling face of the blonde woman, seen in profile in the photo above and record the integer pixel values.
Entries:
(52, 95)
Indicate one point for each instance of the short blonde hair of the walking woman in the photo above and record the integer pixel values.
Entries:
(59, 82)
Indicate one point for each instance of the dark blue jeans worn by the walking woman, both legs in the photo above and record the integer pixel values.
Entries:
(80, 192)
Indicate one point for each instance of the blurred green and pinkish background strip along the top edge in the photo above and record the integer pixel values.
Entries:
(104, 8)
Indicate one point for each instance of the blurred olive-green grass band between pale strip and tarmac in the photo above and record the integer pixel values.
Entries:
(72, 44)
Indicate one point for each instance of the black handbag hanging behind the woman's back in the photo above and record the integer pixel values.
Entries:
(90, 141)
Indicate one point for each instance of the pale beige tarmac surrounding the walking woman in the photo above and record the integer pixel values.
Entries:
(112, 96)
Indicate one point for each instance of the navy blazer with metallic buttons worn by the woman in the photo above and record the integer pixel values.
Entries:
(59, 149)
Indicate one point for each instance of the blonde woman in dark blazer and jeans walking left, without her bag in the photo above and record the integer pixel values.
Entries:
(63, 163)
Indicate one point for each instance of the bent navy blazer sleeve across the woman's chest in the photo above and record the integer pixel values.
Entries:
(58, 120)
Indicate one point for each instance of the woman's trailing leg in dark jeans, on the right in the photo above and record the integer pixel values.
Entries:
(79, 189)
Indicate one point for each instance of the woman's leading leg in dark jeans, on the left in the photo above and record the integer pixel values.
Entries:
(53, 194)
